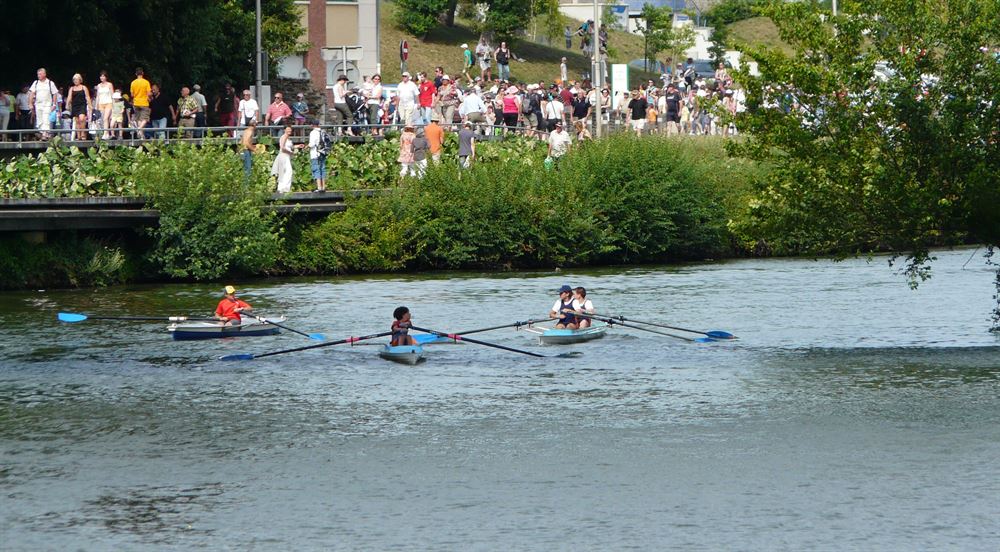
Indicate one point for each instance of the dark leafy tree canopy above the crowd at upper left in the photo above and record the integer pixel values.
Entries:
(175, 41)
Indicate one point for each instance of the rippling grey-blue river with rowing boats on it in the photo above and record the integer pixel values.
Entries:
(852, 414)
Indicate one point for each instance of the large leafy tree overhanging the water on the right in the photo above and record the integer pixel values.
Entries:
(881, 128)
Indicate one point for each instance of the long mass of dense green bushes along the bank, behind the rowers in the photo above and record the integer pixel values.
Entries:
(614, 201)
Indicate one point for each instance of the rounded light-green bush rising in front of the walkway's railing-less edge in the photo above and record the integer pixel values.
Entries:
(212, 221)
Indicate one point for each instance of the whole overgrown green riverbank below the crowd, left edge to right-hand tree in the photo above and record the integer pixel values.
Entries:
(613, 201)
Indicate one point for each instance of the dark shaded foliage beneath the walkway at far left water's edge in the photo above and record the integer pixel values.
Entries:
(64, 260)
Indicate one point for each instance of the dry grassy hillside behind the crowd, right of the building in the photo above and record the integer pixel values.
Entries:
(441, 47)
